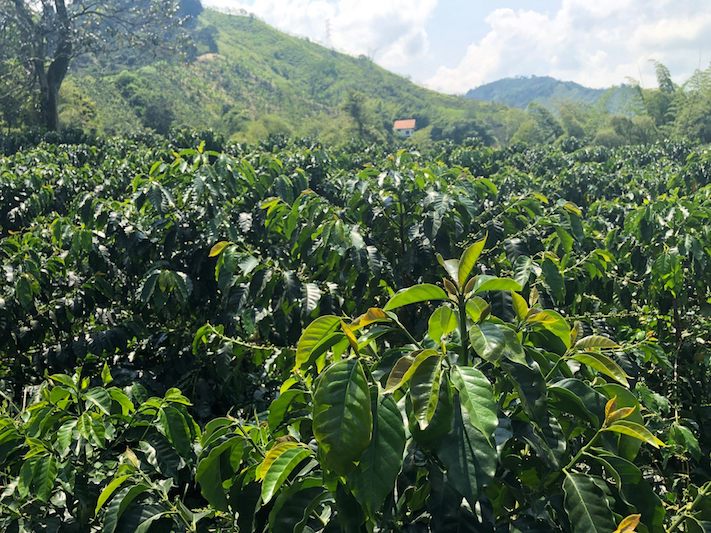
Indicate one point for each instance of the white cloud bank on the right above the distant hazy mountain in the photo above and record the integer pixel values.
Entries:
(597, 43)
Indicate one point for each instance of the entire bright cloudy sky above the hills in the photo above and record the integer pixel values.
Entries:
(456, 45)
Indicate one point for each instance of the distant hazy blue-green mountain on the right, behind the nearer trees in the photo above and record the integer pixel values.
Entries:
(519, 92)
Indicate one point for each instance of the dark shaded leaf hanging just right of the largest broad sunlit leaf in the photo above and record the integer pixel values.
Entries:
(374, 477)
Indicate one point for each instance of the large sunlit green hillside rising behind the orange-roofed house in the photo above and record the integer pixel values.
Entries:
(248, 80)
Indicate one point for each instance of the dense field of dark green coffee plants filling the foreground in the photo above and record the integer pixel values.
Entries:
(293, 338)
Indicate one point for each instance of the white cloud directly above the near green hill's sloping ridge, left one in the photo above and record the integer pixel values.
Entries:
(392, 32)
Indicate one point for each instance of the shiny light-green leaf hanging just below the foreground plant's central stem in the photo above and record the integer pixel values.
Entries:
(477, 397)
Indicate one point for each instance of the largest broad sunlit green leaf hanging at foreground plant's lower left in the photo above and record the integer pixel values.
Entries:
(342, 418)
